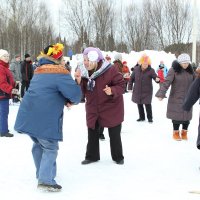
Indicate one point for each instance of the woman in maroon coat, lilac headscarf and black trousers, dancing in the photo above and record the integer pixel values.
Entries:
(103, 87)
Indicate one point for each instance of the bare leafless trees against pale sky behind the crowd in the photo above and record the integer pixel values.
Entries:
(26, 26)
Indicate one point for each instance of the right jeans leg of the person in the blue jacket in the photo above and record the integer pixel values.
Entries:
(47, 170)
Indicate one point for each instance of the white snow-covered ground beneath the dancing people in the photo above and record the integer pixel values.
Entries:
(156, 167)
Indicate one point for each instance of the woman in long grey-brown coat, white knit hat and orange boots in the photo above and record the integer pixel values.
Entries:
(179, 77)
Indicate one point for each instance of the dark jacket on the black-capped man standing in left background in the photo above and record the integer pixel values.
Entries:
(26, 70)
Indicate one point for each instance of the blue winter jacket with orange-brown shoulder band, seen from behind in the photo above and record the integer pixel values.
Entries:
(41, 111)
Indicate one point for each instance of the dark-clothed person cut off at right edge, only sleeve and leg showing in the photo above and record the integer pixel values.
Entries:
(191, 98)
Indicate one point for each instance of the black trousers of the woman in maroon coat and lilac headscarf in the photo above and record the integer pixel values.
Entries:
(92, 151)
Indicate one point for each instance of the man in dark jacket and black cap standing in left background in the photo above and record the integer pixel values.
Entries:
(27, 73)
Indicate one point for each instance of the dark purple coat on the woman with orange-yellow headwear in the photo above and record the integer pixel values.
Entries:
(143, 86)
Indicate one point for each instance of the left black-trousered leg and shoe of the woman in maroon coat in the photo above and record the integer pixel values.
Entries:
(92, 151)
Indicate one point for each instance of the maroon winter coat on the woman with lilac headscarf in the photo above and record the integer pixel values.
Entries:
(108, 110)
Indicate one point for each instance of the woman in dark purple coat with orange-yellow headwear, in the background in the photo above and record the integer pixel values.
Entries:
(143, 88)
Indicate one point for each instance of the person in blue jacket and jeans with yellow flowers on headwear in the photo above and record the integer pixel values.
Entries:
(40, 114)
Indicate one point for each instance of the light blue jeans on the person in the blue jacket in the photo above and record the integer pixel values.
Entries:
(44, 155)
